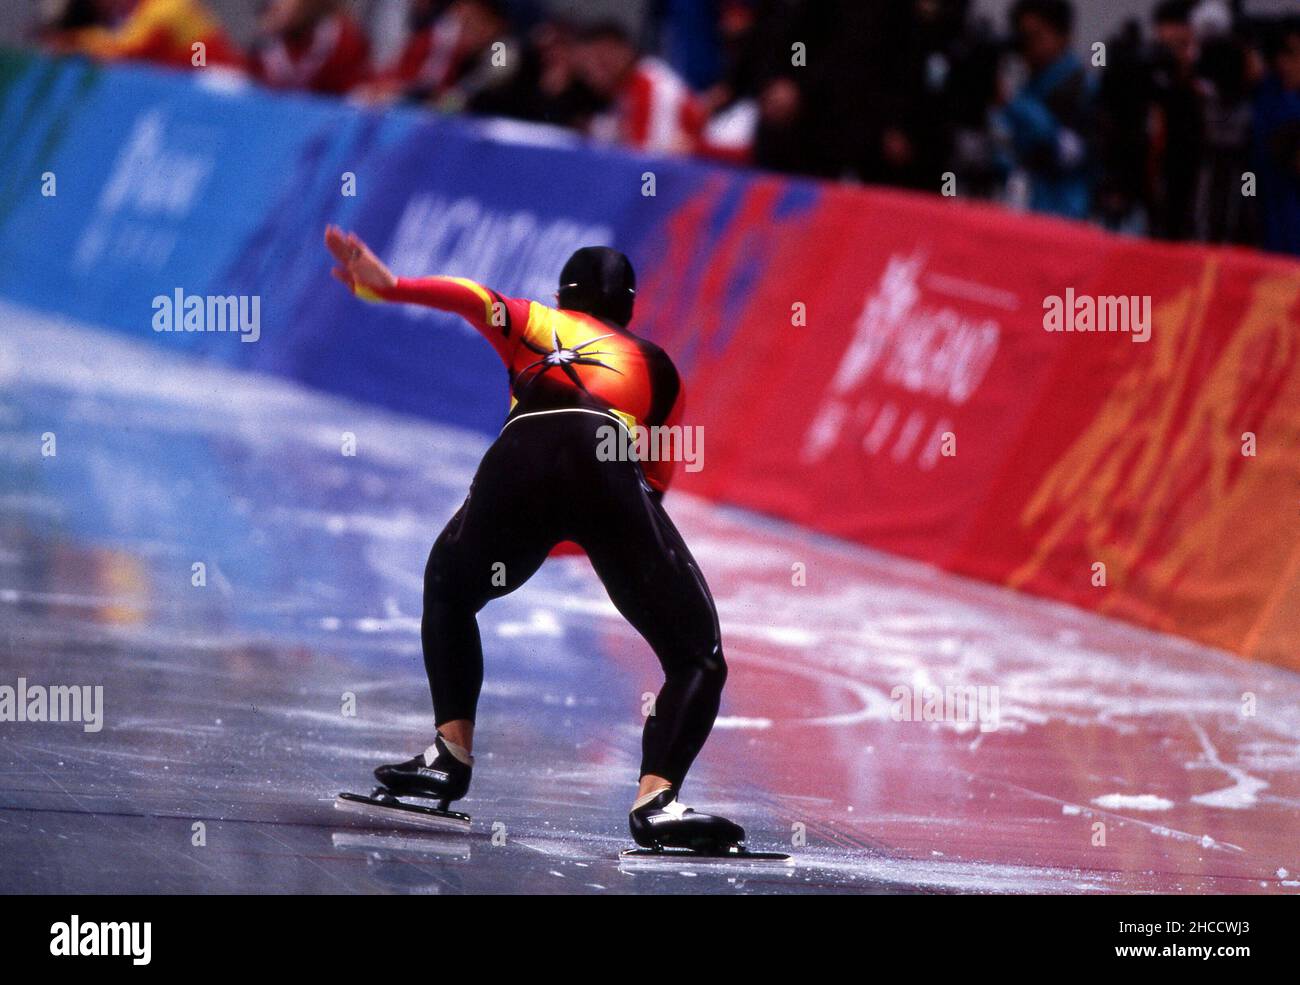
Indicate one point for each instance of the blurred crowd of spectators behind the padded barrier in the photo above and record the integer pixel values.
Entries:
(1182, 128)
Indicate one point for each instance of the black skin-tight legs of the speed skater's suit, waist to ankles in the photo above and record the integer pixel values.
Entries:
(540, 484)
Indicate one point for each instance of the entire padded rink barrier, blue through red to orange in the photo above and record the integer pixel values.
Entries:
(873, 365)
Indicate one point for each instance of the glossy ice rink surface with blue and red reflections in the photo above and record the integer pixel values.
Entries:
(1123, 761)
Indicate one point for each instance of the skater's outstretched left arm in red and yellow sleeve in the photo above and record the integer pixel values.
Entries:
(497, 318)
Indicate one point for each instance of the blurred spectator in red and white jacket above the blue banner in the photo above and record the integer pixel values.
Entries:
(649, 107)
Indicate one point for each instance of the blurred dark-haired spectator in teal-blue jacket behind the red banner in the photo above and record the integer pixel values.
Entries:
(1050, 118)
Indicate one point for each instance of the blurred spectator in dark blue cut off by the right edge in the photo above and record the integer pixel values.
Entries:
(1277, 142)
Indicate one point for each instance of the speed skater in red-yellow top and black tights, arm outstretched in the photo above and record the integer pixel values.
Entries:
(578, 380)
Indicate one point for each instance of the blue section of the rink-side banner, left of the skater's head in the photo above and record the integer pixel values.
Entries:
(128, 193)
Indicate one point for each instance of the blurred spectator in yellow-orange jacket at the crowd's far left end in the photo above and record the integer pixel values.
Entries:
(162, 32)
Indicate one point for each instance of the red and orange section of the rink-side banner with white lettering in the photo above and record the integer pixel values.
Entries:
(1107, 422)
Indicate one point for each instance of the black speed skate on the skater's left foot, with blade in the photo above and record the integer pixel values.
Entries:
(437, 775)
